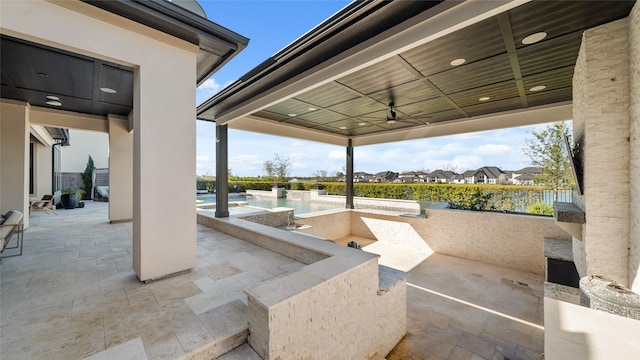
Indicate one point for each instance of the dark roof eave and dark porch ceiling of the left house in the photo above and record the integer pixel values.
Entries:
(46, 76)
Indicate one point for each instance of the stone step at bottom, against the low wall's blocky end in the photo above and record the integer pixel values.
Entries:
(229, 326)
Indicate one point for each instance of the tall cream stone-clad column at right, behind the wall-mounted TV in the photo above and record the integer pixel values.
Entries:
(601, 128)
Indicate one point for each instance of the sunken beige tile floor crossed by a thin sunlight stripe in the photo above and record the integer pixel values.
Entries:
(461, 310)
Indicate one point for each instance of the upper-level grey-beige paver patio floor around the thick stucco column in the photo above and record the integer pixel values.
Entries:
(74, 294)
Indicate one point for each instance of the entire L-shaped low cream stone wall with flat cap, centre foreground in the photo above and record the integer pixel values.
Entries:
(342, 305)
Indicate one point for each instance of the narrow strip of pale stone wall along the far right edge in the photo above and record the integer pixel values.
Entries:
(634, 112)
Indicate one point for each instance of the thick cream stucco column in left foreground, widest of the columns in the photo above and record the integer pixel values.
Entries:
(164, 166)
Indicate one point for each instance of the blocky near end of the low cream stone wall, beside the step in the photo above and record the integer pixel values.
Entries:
(342, 316)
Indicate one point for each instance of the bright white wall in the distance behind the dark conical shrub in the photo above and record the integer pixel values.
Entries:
(84, 143)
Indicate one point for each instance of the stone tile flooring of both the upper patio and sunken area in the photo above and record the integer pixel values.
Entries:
(74, 295)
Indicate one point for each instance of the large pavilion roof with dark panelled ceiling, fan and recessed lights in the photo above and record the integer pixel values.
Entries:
(335, 83)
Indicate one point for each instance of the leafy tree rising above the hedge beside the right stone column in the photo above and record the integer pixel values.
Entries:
(547, 151)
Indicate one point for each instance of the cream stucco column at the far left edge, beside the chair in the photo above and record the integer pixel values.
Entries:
(14, 158)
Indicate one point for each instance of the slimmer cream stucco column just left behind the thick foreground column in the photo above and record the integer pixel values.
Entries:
(120, 170)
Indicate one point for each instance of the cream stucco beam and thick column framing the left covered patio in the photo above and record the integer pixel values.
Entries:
(164, 120)
